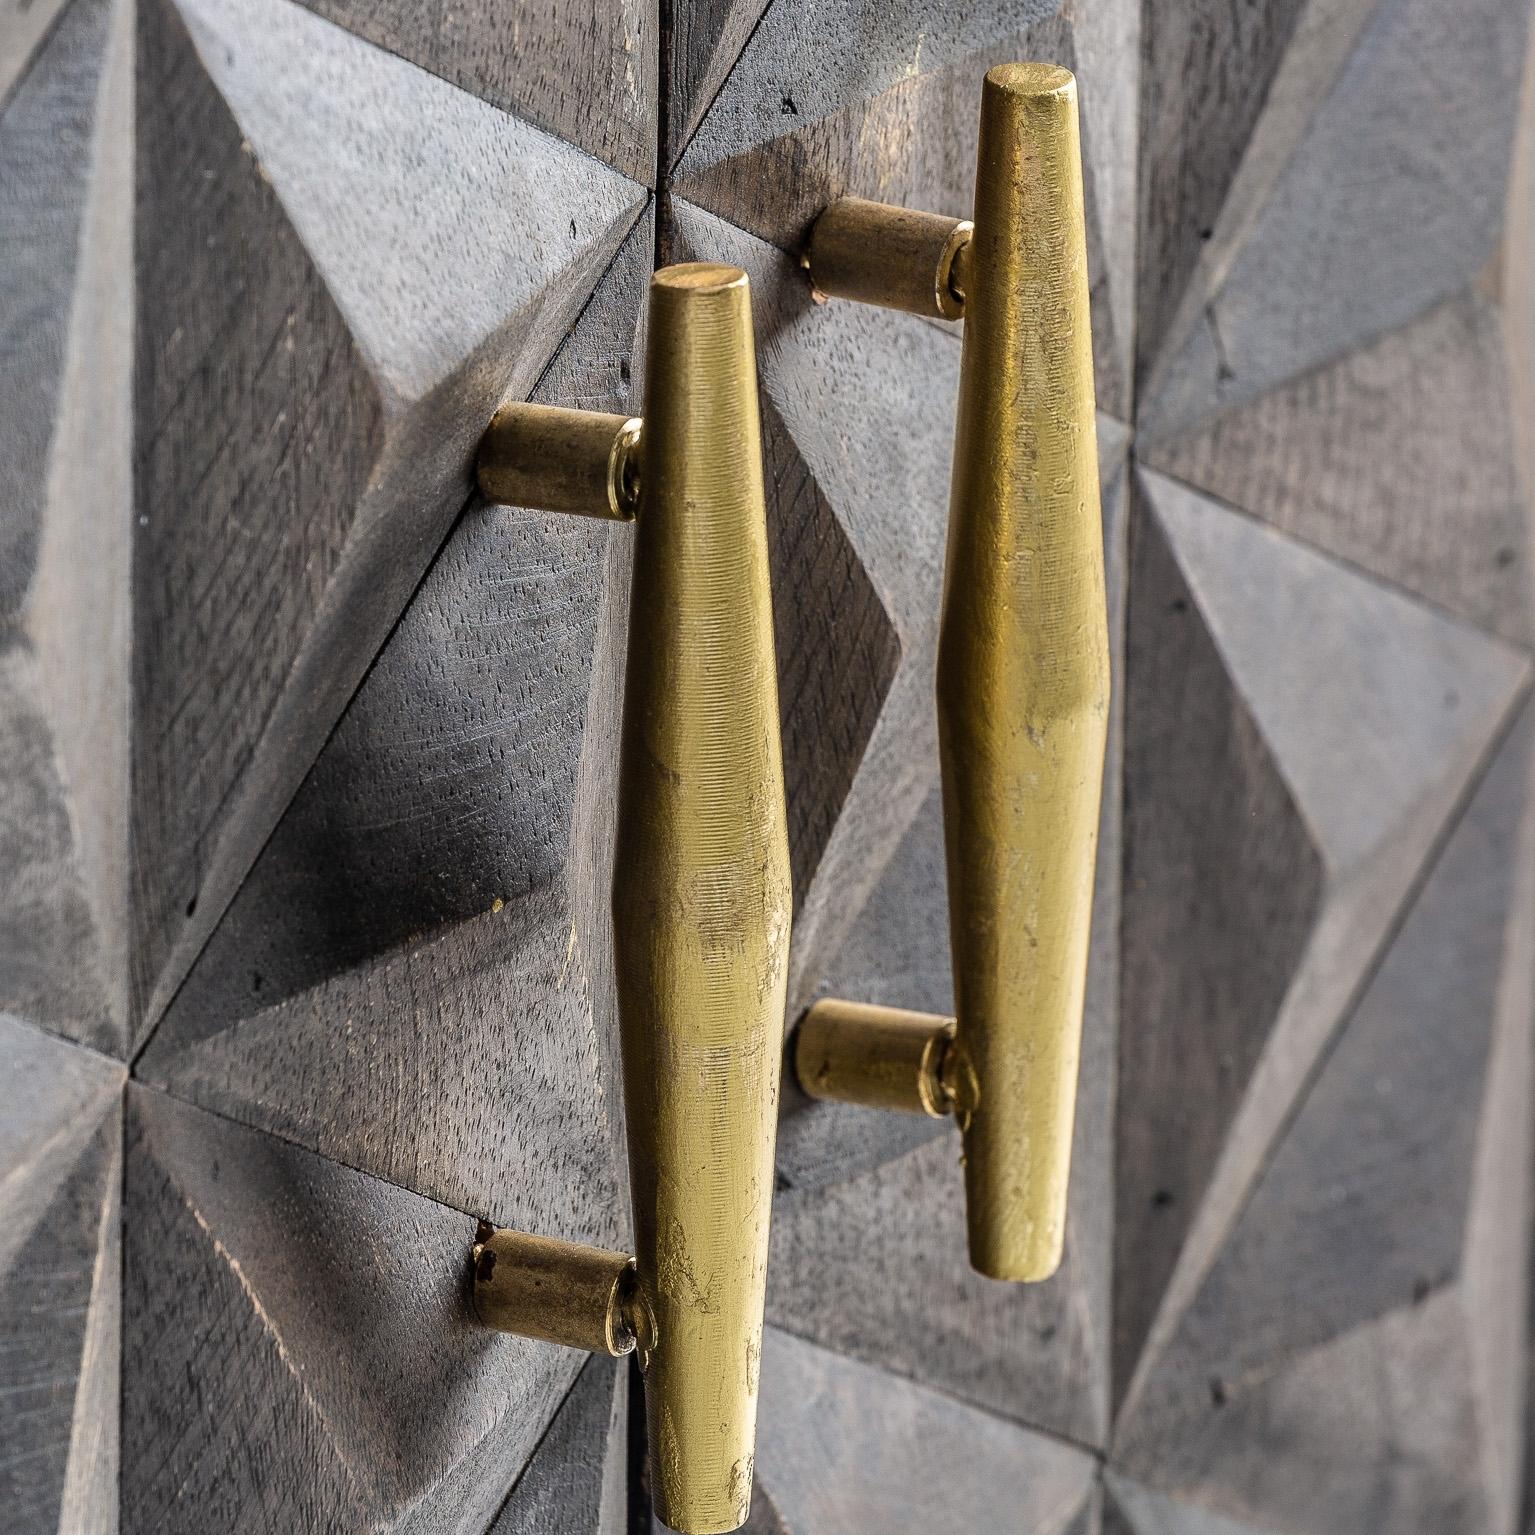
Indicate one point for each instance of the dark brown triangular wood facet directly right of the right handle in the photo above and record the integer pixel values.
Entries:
(1221, 865)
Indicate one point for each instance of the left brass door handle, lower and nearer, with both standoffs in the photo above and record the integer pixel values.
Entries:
(702, 896)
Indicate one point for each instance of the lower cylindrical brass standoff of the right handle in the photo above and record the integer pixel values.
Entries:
(877, 1057)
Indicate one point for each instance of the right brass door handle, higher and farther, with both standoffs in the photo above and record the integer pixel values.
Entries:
(1023, 668)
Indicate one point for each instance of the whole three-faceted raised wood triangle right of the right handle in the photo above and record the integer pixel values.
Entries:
(1376, 715)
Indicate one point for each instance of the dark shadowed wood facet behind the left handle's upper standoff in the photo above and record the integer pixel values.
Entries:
(451, 781)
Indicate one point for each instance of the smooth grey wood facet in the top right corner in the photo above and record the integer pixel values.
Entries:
(1390, 202)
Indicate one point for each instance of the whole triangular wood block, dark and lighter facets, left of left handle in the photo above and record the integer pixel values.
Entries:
(368, 896)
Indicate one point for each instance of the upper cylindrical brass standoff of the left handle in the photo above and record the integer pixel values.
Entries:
(549, 458)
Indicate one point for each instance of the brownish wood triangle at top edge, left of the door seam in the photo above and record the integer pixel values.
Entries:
(583, 71)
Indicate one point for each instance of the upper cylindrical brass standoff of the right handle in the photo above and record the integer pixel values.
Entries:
(891, 257)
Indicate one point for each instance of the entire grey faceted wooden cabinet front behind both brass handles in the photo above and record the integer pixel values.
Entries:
(308, 762)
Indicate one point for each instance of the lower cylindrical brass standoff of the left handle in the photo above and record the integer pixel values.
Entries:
(558, 1292)
